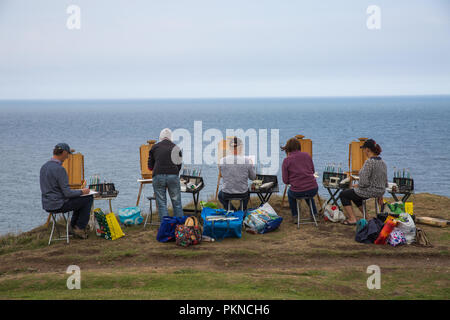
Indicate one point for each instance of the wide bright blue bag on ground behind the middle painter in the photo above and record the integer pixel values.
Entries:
(219, 224)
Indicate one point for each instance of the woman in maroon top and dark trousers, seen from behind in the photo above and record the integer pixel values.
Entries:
(298, 172)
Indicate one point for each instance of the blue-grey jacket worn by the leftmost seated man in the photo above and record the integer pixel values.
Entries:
(55, 185)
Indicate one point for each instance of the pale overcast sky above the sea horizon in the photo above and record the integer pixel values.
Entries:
(132, 49)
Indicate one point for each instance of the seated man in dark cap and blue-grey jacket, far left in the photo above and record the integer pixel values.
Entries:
(57, 195)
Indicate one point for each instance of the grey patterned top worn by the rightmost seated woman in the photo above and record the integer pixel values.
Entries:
(372, 178)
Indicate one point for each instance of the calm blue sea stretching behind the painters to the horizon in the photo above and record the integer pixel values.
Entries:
(413, 132)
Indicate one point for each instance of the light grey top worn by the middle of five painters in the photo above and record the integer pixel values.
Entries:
(236, 170)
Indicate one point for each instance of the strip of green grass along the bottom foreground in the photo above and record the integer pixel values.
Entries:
(189, 283)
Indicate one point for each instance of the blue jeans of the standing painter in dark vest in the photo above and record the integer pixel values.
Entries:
(171, 183)
